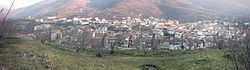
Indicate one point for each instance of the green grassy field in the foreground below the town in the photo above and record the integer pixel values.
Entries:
(12, 50)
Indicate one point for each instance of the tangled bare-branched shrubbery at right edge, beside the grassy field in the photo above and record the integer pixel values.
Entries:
(236, 49)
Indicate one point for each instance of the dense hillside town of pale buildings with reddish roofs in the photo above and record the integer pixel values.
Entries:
(130, 33)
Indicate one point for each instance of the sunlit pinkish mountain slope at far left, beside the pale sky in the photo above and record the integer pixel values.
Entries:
(53, 7)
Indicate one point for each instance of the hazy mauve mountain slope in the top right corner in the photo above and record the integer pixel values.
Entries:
(233, 7)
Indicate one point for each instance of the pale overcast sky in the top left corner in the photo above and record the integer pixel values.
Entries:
(18, 3)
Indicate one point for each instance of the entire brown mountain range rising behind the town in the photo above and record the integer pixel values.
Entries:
(136, 8)
